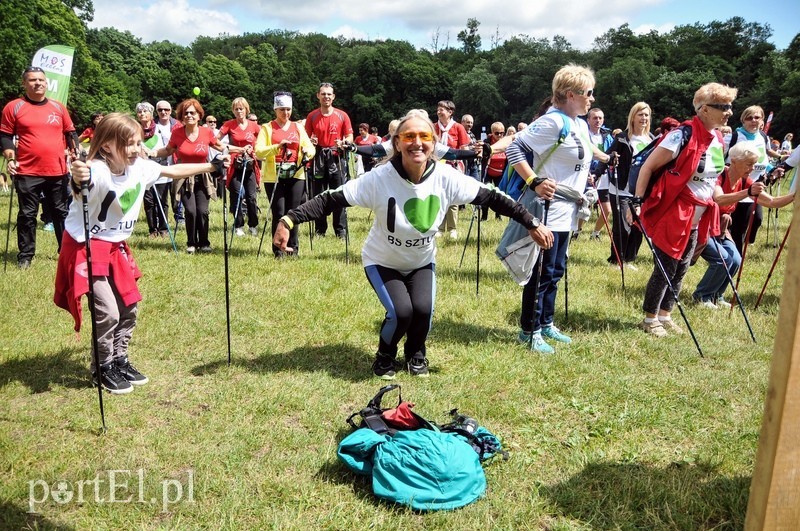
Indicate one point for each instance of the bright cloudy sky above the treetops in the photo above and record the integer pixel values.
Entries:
(418, 21)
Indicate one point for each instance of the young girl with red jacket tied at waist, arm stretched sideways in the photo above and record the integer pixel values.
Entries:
(117, 181)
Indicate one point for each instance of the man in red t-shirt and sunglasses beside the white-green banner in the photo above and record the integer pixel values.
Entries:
(38, 165)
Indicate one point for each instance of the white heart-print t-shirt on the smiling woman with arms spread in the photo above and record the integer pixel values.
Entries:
(402, 237)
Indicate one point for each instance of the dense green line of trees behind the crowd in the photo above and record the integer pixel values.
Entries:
(377, 81)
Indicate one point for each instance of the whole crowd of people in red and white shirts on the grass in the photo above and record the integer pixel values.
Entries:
(699, 194)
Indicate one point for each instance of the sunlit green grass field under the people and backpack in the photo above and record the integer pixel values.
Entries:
(616, 431)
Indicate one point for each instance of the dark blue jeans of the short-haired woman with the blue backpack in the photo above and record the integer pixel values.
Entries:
(553, 266)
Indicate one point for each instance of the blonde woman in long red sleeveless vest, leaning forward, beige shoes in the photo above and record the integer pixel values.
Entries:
(680, 210)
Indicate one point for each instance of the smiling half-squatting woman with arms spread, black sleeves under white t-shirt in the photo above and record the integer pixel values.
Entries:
(410, 196)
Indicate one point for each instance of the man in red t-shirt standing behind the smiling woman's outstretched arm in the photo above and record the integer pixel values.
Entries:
(328, 127)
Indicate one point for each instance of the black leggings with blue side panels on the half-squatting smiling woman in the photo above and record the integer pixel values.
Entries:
(408, 300)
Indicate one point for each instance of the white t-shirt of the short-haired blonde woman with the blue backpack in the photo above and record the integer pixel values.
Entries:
(568, 164)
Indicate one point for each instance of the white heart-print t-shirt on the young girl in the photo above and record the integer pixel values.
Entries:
(114, 201)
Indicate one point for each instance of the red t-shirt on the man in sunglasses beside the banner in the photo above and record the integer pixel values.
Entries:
(40, 129)
